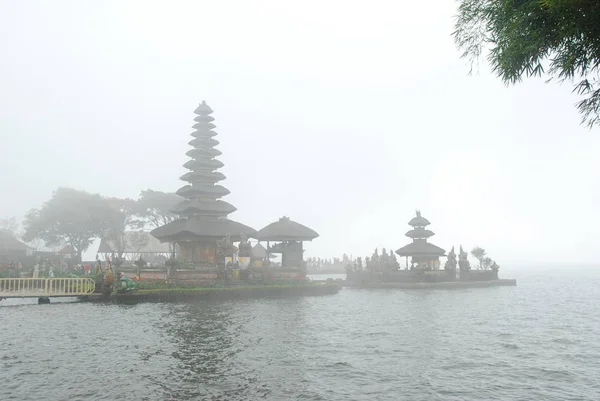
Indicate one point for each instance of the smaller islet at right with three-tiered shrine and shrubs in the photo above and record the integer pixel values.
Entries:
(422, 266)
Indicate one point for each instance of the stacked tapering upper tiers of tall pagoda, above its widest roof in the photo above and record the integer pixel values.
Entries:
(203, 192)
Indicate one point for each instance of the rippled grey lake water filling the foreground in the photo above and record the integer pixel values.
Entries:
(537, 341)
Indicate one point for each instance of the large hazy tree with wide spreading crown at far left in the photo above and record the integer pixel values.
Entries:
(70, 216)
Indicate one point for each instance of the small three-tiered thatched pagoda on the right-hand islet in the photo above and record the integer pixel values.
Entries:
(424, 255)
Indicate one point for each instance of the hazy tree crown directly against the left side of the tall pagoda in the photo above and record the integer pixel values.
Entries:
(154, 207)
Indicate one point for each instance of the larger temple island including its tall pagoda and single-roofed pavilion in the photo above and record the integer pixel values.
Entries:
(210, 256)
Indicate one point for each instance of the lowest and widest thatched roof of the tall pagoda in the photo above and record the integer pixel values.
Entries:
(192, 228)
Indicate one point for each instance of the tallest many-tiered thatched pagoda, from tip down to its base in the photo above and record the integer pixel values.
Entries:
(203, 215)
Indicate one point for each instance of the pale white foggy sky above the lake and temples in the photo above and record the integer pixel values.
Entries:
(346, 116)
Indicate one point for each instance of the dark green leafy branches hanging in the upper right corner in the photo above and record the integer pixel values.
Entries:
(556, 38)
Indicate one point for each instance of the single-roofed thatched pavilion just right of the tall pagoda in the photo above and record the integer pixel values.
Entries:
(289, 236)
